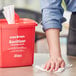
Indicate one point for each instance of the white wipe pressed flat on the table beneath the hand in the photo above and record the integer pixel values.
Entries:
(59, 70)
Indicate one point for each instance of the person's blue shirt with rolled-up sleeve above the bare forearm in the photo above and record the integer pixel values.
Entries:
(52, 12)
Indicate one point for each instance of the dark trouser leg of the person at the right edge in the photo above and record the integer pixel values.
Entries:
(71, 41)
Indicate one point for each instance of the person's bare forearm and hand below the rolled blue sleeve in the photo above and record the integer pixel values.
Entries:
(56, 61)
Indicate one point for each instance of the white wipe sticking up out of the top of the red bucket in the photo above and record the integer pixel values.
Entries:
(9, 14)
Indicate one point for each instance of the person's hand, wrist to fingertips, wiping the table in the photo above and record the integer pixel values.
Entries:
(54, 63)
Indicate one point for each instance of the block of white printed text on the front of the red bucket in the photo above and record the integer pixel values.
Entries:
(17, 44)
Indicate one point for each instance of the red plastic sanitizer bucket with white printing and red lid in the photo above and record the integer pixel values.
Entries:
(17, 43)
